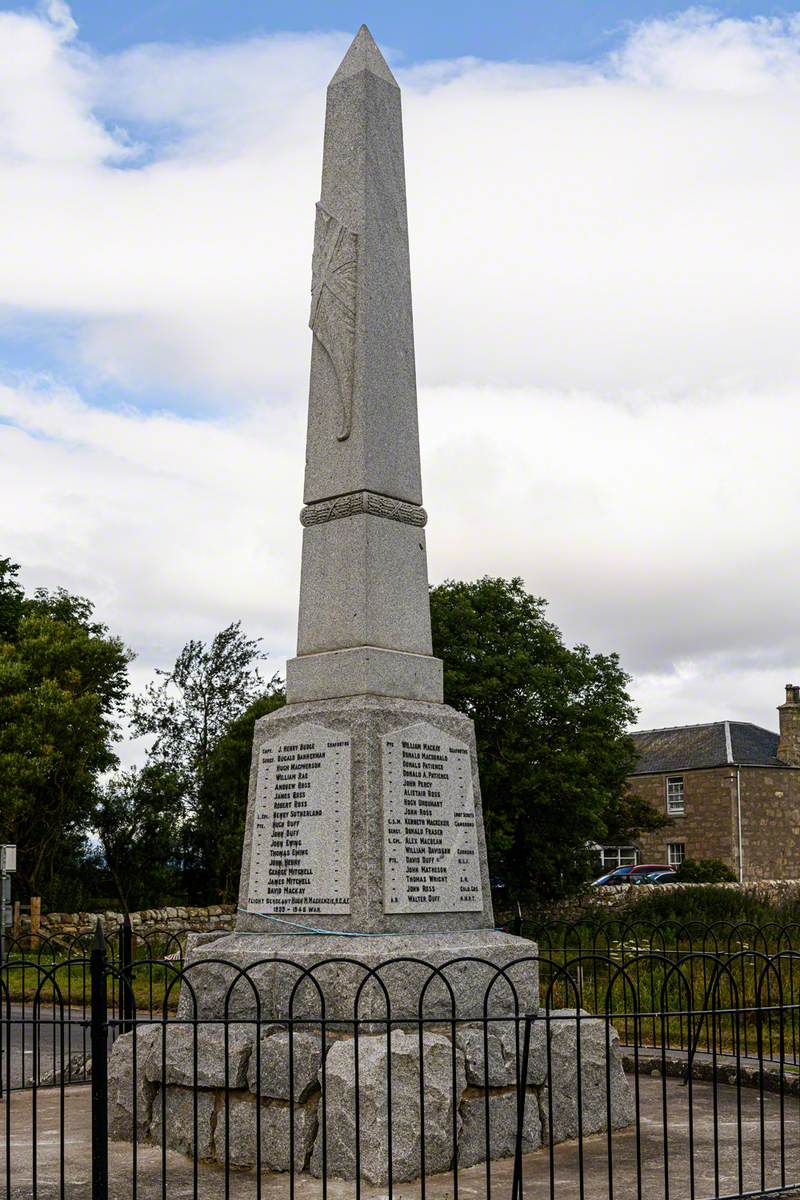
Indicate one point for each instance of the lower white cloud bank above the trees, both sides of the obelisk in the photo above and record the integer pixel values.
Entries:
(642, 542)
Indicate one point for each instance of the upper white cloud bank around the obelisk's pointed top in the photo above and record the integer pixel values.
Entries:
(627, 225)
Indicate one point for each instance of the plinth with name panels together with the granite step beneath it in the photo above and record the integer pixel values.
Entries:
(365, 843)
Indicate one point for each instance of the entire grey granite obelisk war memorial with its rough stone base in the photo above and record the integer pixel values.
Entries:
(365, 956)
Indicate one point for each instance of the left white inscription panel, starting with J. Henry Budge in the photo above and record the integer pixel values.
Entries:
(300, 856)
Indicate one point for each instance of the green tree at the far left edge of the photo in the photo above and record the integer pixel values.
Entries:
(63, 686)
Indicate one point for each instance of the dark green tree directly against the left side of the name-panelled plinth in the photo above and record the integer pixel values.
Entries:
(216, 831)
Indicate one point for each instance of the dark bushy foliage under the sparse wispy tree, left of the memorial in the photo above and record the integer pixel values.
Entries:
(137, 821)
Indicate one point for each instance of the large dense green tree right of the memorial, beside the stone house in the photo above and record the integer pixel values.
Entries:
(552, 736)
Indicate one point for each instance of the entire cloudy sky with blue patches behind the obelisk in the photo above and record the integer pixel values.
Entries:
(604, 218)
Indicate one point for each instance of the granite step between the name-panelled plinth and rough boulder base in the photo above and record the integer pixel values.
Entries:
(396, 976)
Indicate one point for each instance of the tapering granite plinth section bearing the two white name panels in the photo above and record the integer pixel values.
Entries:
(365, 812)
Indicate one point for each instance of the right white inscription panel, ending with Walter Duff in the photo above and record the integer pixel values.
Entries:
(431, 861)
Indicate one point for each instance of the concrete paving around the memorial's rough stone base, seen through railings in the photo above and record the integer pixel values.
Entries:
(690, 1169)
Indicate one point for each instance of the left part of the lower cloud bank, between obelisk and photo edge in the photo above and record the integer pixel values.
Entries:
(167, 523)
